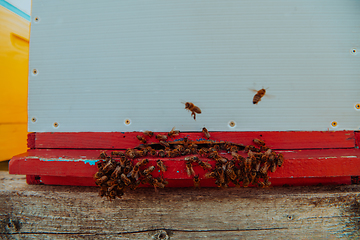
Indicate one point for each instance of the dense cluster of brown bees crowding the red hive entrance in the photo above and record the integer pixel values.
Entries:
(230, 163)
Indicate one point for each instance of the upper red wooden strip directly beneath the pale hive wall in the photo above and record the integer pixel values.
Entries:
(123, 140)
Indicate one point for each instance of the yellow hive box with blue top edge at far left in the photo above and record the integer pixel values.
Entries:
(14, 56)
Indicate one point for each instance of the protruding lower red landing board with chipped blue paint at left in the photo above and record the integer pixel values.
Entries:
(81, 163)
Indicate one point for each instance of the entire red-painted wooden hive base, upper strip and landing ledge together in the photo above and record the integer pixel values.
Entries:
(310, 157)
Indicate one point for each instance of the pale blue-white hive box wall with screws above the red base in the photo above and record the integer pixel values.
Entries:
(95, 64)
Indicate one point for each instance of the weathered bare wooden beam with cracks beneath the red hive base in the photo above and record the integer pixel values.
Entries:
(65, 212)
